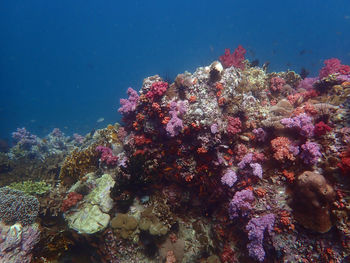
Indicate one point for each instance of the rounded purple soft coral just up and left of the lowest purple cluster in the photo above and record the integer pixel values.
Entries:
(241, 203)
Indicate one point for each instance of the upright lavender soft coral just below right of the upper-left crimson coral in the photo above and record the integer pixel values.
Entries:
(175, 124)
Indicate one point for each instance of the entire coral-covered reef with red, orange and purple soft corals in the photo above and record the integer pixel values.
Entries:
(226, 164)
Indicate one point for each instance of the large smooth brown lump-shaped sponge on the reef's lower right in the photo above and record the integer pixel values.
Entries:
(312, 199)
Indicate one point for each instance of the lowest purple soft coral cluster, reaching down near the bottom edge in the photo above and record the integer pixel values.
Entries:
(256, 228)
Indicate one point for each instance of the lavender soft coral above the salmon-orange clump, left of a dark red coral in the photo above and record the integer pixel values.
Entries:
(302, 122)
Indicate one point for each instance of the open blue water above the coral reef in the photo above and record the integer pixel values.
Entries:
(67, 63)
